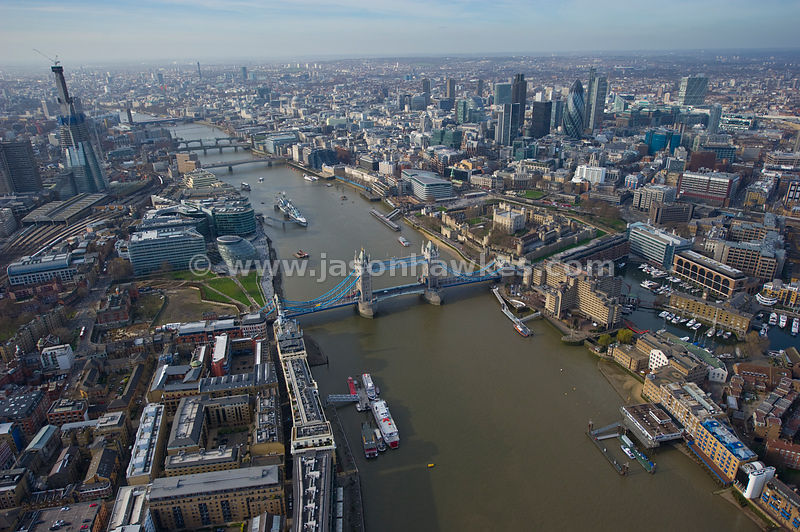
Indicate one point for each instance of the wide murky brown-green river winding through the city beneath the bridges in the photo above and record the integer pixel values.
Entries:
(502, 417)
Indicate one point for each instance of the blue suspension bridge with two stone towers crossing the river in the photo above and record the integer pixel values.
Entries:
(356, 289)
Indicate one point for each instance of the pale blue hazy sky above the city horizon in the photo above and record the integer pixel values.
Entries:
(131, 30)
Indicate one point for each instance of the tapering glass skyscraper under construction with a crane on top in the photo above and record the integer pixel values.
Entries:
(80, 155)
